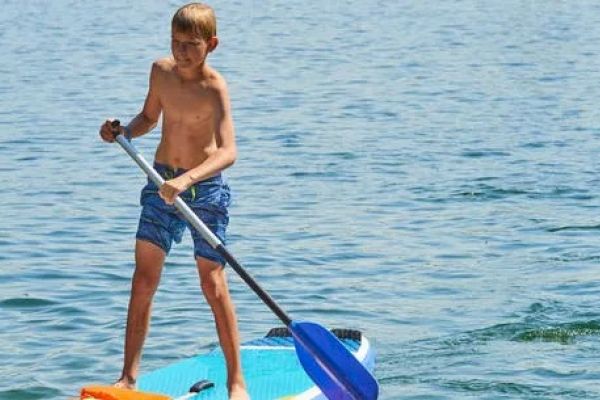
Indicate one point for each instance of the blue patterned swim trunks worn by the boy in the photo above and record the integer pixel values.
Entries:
(161, 223)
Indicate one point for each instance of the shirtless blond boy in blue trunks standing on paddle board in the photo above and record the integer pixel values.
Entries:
(197, 143)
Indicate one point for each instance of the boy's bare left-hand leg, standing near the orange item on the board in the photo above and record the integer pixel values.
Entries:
(149, 260)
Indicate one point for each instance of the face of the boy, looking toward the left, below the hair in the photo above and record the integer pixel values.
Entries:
(189, 50)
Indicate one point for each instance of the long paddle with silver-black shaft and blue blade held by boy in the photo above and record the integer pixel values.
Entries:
(330, 365)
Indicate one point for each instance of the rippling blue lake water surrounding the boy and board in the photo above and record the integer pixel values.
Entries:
(426, 172)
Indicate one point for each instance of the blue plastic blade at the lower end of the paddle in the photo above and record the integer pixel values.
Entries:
(330, 365)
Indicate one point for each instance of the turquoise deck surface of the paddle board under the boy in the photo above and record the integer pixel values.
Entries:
(271, 370)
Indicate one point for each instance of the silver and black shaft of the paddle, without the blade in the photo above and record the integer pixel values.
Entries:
(206, 233)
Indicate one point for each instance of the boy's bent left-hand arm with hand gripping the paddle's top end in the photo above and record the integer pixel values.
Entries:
(147, 119)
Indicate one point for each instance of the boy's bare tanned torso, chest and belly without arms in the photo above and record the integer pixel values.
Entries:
(189, 110)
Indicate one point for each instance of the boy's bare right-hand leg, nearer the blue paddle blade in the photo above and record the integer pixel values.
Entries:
(213, 281)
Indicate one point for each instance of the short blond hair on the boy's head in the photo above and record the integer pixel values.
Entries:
(195, 18)
